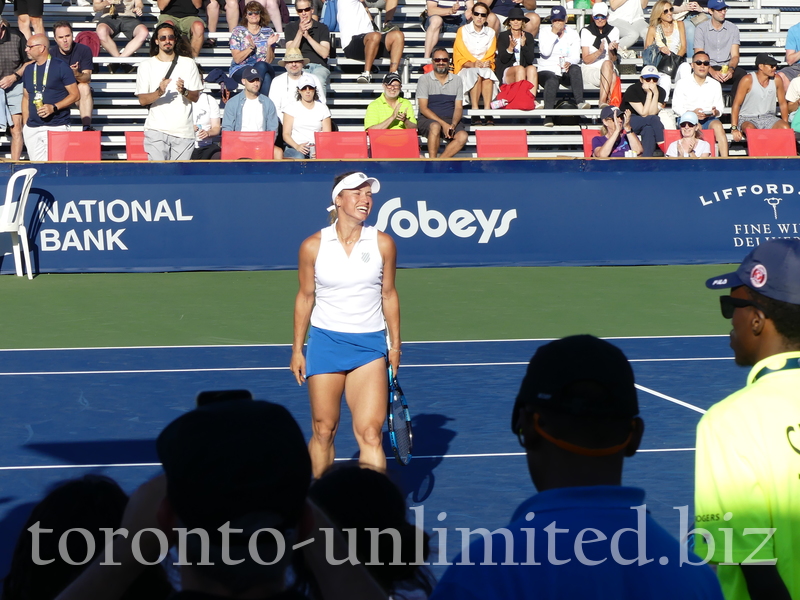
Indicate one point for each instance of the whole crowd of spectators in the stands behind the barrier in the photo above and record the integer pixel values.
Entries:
(504, 56)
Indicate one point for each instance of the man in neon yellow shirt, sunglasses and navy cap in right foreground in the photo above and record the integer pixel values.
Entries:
(747, 444)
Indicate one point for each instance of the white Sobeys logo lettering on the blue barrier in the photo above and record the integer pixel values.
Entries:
(461, 223)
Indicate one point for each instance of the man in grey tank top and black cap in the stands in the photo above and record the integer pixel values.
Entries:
(754, 103)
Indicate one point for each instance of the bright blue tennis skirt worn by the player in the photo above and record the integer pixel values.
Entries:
(334, 351)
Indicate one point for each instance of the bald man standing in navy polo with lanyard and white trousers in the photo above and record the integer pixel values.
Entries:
(49, 90)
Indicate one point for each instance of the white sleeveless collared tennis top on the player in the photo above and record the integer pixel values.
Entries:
(348, 289)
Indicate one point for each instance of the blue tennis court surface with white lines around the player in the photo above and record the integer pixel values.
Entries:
(74, 411)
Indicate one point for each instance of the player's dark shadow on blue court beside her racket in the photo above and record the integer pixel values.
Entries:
(431, 442)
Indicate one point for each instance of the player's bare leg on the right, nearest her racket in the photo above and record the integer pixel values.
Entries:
(367, 394)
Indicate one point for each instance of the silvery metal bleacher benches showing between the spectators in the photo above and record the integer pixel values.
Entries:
(763, 25)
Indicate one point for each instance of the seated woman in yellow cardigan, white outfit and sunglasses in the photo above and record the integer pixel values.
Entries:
(473, 60)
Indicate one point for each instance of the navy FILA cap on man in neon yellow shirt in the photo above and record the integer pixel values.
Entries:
(771, 269)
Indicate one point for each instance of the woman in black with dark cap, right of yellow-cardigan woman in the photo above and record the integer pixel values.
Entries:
(516, 52)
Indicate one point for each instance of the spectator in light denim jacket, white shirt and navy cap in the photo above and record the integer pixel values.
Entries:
(252, 110)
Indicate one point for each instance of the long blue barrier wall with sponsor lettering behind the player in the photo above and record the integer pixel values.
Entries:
(248, 215)
